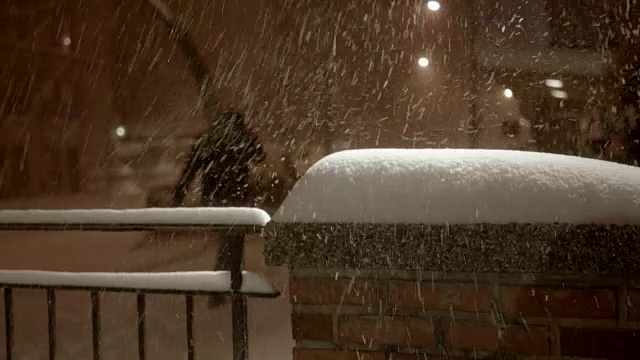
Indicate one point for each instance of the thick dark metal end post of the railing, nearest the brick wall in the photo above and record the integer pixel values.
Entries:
(238, 301)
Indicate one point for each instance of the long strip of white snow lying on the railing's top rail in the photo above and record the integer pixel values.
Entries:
(152, 216)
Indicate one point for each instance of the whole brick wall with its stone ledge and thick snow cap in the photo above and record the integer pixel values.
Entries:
(462, 254)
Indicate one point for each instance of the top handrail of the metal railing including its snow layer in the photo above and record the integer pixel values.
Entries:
(133, 219)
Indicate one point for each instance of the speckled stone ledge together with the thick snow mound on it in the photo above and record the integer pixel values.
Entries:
(460, 210)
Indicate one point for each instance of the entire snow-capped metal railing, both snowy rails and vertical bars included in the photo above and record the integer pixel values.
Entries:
(233, 222)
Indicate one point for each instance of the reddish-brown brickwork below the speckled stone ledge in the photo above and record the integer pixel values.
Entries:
(404, 315)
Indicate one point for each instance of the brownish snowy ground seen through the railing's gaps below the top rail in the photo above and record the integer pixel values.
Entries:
(269, 319)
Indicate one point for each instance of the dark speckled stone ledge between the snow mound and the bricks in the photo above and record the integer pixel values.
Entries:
(511, 248)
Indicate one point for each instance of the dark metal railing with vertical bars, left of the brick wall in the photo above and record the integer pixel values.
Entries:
(52, 282)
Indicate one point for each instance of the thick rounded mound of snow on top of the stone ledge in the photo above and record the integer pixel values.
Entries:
(456, 186)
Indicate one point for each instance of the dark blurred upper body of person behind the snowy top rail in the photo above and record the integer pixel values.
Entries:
(224, 154)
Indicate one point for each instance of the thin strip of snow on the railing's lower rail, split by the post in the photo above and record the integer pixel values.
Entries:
(210, 281)
